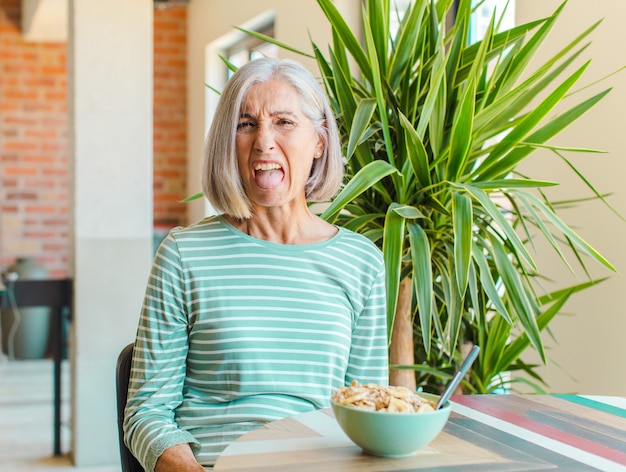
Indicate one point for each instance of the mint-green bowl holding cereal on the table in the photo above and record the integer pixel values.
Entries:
(388, 434)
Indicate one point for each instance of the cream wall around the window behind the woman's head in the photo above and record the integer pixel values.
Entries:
(295, 23)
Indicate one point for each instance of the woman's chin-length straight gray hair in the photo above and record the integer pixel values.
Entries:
(221, 180)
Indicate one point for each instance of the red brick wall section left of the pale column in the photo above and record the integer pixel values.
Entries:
(33, 147)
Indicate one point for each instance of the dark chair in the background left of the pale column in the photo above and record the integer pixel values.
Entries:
(57, 294)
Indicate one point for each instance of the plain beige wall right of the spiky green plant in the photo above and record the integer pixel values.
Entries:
(590, 351)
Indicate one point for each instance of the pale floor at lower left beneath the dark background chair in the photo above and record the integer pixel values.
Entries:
(26, 419)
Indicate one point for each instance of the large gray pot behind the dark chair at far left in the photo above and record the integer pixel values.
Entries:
(25, 331)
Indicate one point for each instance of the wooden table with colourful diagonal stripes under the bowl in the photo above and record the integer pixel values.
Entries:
(484, 433)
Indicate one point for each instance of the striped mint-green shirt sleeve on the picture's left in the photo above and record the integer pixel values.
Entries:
(158, 369)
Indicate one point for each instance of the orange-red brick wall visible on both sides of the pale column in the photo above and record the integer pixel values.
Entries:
(34, 147)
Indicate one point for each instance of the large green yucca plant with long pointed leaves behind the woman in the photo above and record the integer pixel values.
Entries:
(435, 129)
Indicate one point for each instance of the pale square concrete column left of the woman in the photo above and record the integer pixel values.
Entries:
(110, 98)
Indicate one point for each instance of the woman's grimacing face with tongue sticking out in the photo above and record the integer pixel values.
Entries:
(276, 145)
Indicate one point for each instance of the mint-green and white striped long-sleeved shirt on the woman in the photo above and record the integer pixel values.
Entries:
(236, 332)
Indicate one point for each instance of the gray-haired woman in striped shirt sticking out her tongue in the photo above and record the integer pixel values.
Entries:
(264, 310)
